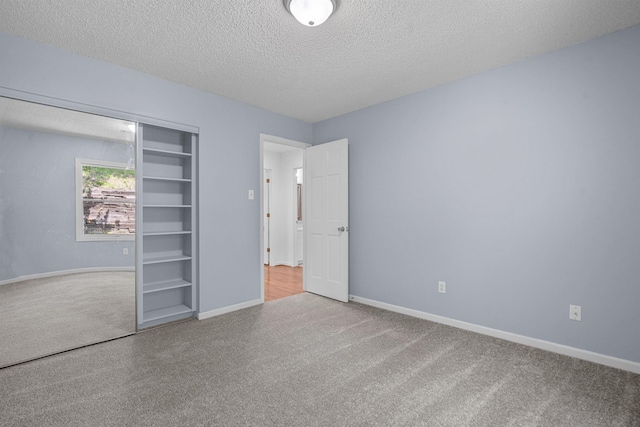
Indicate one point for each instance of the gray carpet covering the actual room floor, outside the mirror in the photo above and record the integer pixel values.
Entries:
(308, 361)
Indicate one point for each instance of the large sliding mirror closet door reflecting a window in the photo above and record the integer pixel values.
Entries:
(67, 229)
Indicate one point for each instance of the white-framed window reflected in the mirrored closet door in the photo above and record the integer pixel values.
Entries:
(105, 200)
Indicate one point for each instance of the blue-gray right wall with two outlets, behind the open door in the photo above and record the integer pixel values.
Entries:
(519, 187)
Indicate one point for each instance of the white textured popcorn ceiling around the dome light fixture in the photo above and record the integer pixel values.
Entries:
(368, 52)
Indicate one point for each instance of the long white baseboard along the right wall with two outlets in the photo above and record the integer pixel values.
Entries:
(589, 356)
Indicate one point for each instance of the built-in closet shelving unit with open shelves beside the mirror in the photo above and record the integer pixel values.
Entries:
(166, 240)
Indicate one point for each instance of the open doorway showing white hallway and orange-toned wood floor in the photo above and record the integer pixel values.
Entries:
(282, 208)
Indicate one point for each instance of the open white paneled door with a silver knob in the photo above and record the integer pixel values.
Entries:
(326, 173)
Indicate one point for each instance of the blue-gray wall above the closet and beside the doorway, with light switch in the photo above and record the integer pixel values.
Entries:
(229, 147)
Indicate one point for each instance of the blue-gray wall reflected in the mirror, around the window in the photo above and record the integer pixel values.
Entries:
(38, 203)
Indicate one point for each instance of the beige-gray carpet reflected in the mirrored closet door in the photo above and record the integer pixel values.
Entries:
(44, 316)
